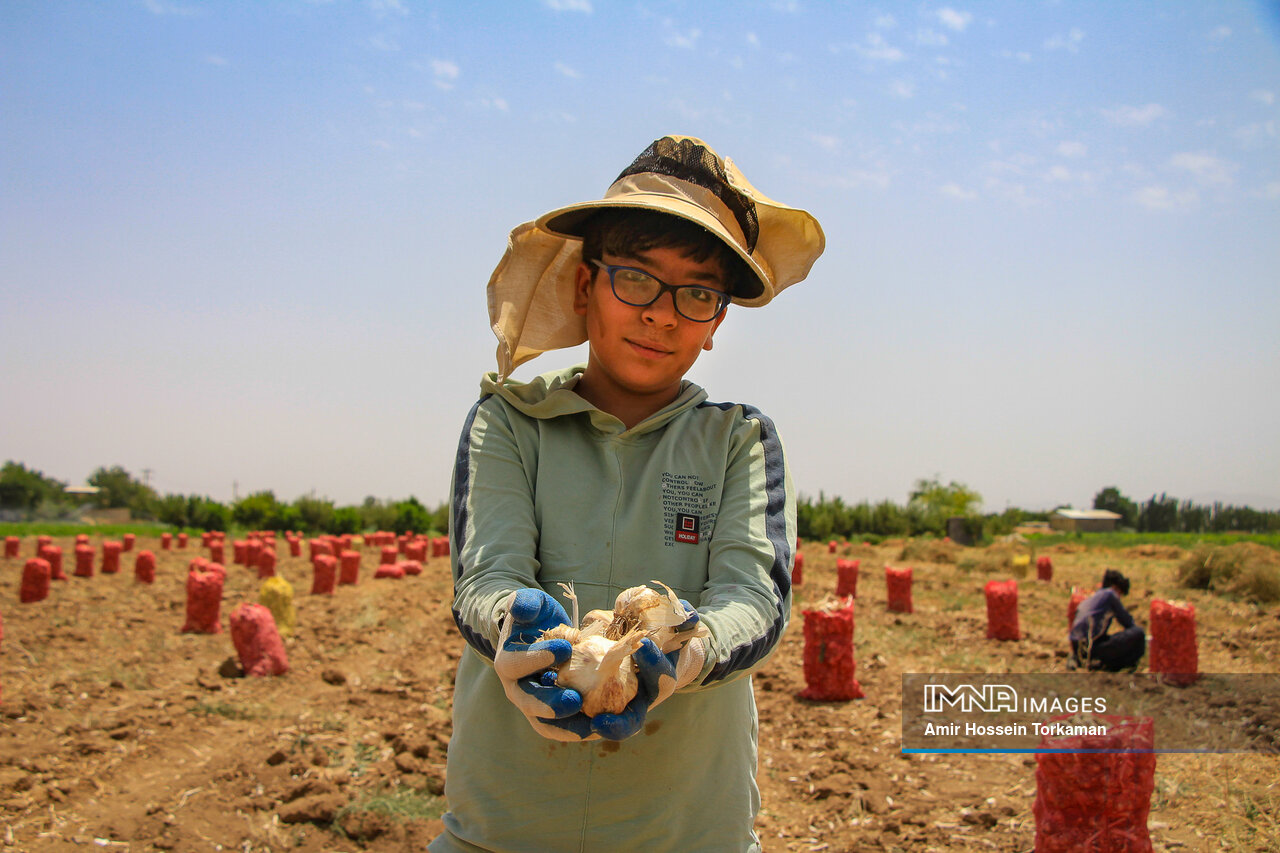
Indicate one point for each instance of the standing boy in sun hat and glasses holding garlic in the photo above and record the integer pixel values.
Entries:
(606, 477)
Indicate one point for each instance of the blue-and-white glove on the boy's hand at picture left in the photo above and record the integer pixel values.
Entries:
(525, 667)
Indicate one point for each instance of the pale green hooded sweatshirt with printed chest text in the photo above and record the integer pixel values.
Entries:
(550, 490)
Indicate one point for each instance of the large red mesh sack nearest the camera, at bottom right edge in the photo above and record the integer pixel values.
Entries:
(1096, 802)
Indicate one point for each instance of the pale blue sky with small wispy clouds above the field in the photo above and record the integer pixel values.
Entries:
(248, 243)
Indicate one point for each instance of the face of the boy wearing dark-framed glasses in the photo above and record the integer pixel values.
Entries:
(643, 353)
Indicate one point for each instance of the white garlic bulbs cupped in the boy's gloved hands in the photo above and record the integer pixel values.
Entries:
(601, 667)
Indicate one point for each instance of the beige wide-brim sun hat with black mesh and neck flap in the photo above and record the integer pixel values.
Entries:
(532, 290)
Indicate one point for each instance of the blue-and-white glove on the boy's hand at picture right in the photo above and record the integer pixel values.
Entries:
(660, 676)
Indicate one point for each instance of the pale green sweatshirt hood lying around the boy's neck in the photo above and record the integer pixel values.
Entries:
(552, 395)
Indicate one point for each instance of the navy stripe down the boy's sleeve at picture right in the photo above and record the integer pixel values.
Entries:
(776, 530)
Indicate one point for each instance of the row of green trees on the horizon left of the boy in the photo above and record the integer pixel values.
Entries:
(31, 496)
